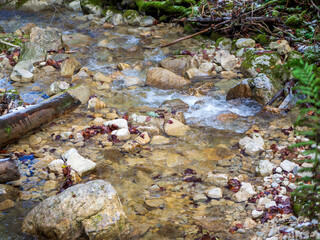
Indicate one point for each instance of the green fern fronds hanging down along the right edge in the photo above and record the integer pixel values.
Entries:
(306, 197)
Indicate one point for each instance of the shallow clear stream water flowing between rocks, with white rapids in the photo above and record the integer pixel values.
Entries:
(157, 171)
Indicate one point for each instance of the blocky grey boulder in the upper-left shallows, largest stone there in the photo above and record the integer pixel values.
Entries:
(48, 38)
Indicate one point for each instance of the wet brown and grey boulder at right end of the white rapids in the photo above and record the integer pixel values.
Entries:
(261, 88)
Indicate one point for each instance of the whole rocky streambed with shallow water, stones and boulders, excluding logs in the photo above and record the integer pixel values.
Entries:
(169, 143)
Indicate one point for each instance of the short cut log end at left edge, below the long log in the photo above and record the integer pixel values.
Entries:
(8, 170)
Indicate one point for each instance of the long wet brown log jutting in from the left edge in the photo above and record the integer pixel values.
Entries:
(17, 124)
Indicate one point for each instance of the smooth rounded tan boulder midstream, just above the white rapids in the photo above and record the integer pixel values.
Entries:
(165, 79)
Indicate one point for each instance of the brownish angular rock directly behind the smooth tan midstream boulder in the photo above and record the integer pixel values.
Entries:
(178, 65)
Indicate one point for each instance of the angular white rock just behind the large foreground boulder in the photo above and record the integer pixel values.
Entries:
(78, 163)
